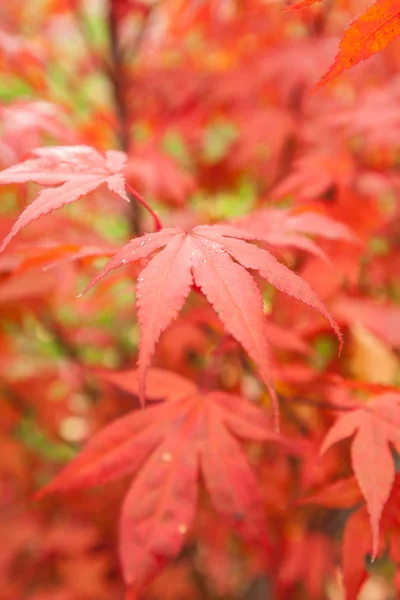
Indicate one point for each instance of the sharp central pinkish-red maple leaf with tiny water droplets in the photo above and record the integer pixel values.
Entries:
(215, 258)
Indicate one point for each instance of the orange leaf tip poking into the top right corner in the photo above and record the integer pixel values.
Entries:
(370, 33)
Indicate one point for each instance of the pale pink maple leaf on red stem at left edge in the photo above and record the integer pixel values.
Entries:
(79, 170)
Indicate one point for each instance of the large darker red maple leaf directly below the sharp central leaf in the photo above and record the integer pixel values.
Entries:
(167, 446)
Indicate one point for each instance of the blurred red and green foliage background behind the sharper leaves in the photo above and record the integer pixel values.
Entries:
(212, 102)
